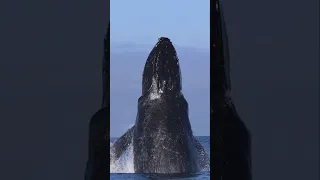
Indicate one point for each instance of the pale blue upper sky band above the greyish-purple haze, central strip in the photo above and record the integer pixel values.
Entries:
(185, 22)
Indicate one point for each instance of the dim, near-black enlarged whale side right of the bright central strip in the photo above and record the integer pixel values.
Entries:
(231, 140)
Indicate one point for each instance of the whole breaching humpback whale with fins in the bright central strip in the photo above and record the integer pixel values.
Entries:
(162, 137)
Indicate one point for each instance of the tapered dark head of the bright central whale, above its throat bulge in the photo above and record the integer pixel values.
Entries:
(162, 71)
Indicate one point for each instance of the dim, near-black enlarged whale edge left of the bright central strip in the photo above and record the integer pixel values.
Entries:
(98, 163)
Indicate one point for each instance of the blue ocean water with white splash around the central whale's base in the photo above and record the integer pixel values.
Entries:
(123, 168)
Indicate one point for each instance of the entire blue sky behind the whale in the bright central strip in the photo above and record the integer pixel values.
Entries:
(135, 28)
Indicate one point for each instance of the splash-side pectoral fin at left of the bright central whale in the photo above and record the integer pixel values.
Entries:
(121, 144)
